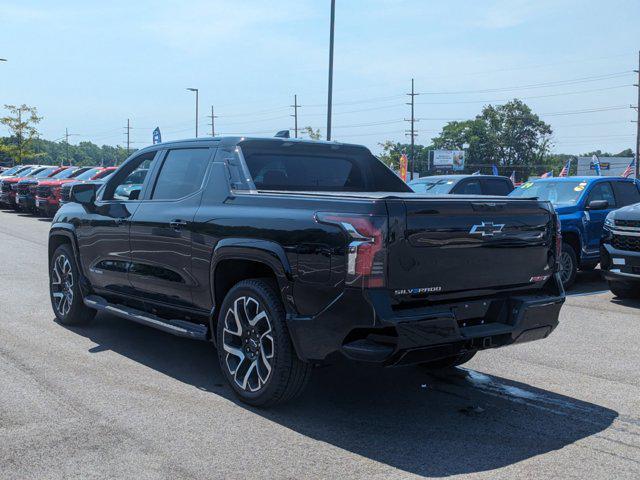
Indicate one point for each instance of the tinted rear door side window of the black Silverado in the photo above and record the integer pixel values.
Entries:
(182, 173)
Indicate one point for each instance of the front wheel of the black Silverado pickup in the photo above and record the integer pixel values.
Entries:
(64, 289)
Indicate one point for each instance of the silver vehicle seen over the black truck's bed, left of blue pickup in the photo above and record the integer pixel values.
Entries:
(463, 185)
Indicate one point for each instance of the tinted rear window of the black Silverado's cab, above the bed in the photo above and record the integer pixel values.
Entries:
(291, 166)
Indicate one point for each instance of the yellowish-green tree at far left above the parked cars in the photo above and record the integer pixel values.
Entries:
(21, 123)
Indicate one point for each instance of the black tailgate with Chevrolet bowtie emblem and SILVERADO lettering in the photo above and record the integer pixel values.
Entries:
(448, 245)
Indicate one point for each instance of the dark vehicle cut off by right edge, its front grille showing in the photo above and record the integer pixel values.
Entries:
(620, 251)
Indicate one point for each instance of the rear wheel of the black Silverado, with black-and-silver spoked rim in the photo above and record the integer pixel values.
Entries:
(257, 357)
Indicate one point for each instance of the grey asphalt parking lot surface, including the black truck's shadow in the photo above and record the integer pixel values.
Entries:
(118, 400)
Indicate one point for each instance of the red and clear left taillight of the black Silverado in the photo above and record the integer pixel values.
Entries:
(366, 253)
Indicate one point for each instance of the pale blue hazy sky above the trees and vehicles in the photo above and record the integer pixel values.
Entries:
(90, 66)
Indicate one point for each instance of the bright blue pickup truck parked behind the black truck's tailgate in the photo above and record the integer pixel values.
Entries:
(582, 204)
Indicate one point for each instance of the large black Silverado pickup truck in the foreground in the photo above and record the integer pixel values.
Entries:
(287, 253)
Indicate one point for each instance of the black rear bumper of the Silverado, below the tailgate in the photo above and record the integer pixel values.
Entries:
(367, 328)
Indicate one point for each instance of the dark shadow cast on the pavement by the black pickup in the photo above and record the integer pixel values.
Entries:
(433, 424)
